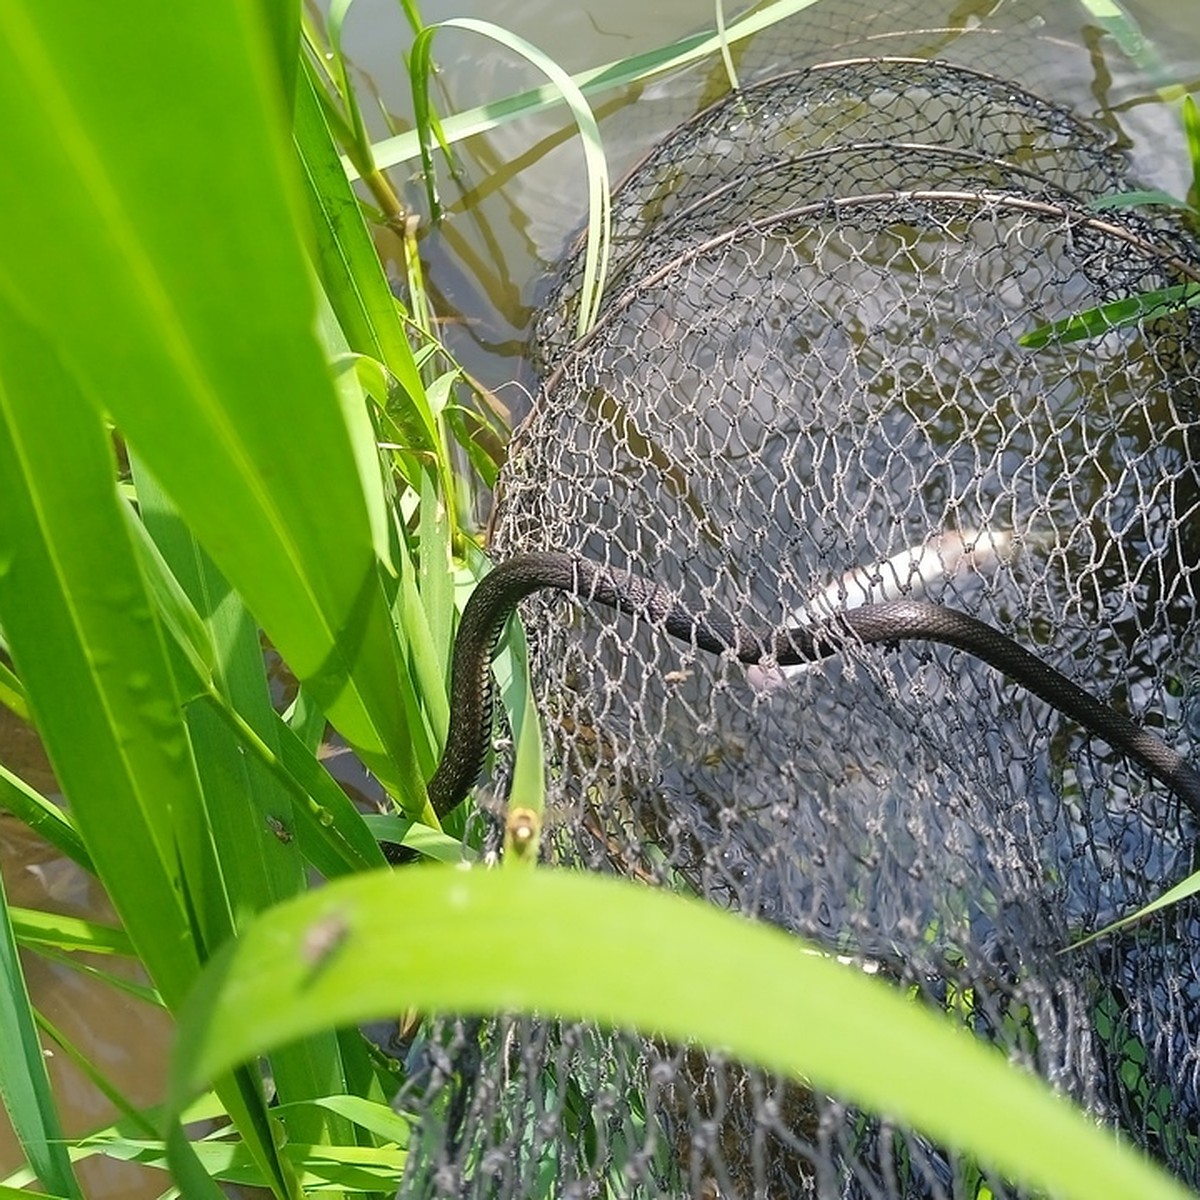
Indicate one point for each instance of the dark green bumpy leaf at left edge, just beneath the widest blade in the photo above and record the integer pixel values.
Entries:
(88, 649)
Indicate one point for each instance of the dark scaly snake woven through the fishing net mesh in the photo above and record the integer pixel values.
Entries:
(885, 623)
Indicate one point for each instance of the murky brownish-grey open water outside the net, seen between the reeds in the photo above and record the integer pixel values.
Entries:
(523, 196)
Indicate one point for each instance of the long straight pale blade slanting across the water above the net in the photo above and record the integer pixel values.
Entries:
(620, 74)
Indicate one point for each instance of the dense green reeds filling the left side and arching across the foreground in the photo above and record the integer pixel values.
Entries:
(184, 263)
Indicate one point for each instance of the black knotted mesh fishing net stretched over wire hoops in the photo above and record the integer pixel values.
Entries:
(806, 392)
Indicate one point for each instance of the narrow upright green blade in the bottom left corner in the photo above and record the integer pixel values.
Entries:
(25, 1085)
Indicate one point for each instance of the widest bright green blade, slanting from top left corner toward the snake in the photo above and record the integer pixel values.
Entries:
(195, 331)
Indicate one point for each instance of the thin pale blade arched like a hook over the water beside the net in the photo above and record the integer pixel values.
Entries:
(596, 262)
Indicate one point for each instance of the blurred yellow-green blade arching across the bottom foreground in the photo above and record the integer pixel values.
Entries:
(629, 957)
